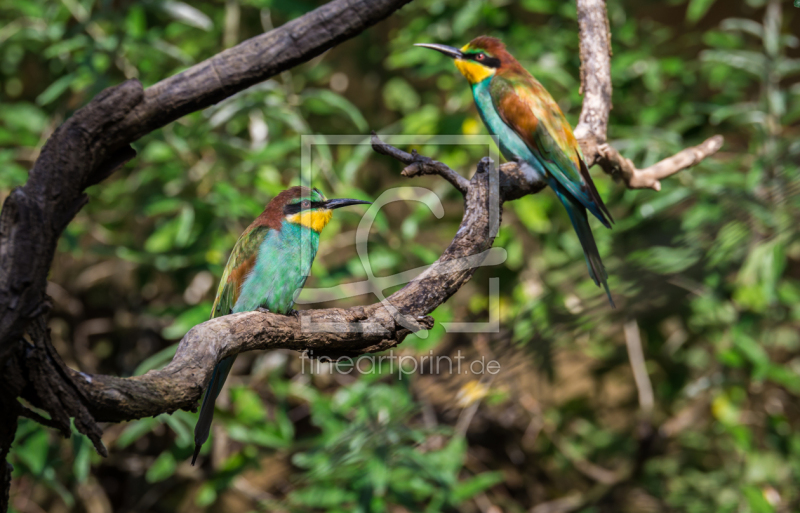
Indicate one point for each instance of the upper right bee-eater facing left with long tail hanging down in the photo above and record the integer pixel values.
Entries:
(534, 133)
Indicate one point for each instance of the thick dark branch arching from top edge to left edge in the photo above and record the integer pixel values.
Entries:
(95, 141)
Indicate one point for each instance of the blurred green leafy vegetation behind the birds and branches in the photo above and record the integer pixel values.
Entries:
(707, 271)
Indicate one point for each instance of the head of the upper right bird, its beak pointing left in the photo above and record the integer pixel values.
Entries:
(480, 59)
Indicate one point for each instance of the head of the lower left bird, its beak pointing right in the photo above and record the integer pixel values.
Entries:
(305, 207)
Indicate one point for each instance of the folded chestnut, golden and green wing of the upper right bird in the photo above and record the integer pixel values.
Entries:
(528, 109)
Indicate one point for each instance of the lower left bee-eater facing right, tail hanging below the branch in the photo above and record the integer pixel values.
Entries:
(268, 265)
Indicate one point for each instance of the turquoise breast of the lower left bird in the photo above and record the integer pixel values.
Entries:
(282, 266)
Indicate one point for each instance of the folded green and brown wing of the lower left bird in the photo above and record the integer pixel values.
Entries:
(241, 261)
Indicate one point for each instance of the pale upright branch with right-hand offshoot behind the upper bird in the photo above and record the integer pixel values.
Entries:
(595, 51)
